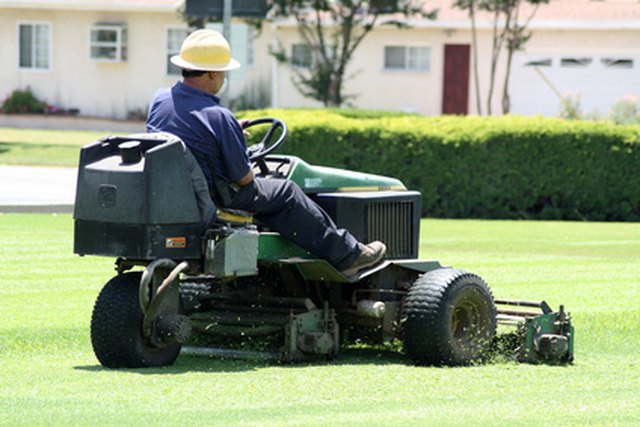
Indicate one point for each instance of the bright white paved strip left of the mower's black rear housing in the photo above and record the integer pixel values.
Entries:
(37, 189)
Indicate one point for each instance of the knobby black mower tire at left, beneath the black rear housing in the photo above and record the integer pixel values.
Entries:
(116, 328)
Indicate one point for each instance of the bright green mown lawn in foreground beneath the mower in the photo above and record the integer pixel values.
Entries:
(49, 375)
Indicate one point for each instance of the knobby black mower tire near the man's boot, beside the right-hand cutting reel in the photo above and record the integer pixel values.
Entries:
(449, 318)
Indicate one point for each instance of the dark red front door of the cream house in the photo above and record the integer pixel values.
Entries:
(455, 97)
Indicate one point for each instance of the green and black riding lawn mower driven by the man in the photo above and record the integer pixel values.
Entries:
(182, 288)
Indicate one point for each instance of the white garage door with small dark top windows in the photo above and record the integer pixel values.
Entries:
(538, 81)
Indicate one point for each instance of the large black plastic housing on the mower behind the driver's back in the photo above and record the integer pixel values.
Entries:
(145, 204)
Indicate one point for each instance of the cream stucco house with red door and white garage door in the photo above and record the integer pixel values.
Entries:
(108, 57)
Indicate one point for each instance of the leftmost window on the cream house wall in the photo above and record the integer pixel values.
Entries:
(35, 46)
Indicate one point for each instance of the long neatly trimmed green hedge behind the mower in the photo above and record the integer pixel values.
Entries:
(482, 167)
